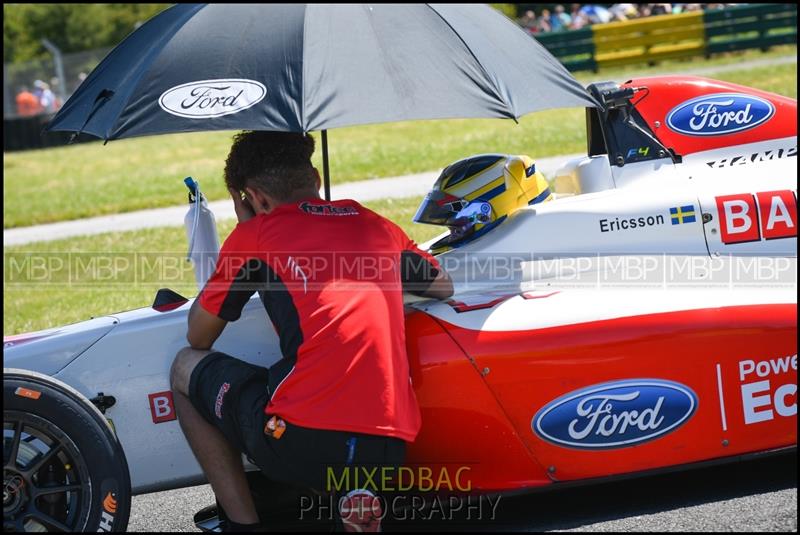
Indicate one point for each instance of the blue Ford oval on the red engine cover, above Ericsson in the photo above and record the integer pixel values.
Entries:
(719, 114)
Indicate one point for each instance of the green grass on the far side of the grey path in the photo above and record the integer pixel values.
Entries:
(91, 179)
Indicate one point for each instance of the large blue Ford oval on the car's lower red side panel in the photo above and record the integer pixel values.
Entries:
(615, 415)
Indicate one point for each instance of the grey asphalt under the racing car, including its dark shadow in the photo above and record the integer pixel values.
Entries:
(755, 495)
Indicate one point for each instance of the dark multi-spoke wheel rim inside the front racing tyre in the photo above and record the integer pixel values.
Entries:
(46, 484)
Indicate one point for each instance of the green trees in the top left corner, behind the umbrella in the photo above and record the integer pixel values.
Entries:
(71, 27)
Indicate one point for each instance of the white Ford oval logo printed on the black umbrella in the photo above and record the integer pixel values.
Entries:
(211, 98)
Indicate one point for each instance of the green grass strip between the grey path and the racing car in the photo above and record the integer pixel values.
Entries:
(36, 299)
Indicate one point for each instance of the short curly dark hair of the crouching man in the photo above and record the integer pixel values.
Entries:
(278, 163)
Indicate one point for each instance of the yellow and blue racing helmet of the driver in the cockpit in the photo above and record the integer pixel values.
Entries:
(474, 195)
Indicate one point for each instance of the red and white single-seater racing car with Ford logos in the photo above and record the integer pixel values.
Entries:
(559, 371)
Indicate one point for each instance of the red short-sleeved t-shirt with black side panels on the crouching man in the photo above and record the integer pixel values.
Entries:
(331, 276)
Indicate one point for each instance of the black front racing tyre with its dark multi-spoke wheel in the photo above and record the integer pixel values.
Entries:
(63, 467)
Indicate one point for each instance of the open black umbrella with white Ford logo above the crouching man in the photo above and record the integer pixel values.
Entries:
(312, 67)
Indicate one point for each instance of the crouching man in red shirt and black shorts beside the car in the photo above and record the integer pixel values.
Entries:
(331, 277)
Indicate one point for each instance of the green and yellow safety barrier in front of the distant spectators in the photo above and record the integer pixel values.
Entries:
(653, 39)
